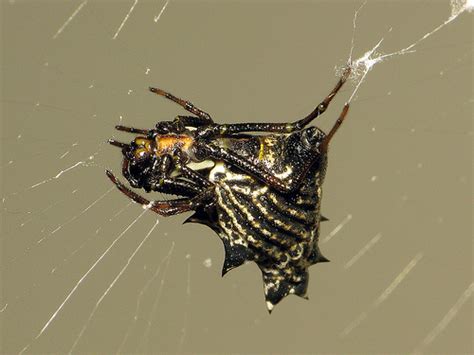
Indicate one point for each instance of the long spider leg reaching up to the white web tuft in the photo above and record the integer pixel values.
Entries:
(227, 129)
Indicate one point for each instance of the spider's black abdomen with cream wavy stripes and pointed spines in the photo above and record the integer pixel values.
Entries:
(277, 231)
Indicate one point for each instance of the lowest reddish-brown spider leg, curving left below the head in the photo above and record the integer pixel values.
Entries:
(163, 208)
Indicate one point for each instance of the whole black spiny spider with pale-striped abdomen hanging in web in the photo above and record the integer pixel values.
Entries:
(257, 185)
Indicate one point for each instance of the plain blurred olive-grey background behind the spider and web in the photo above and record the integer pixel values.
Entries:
(398, 191)
